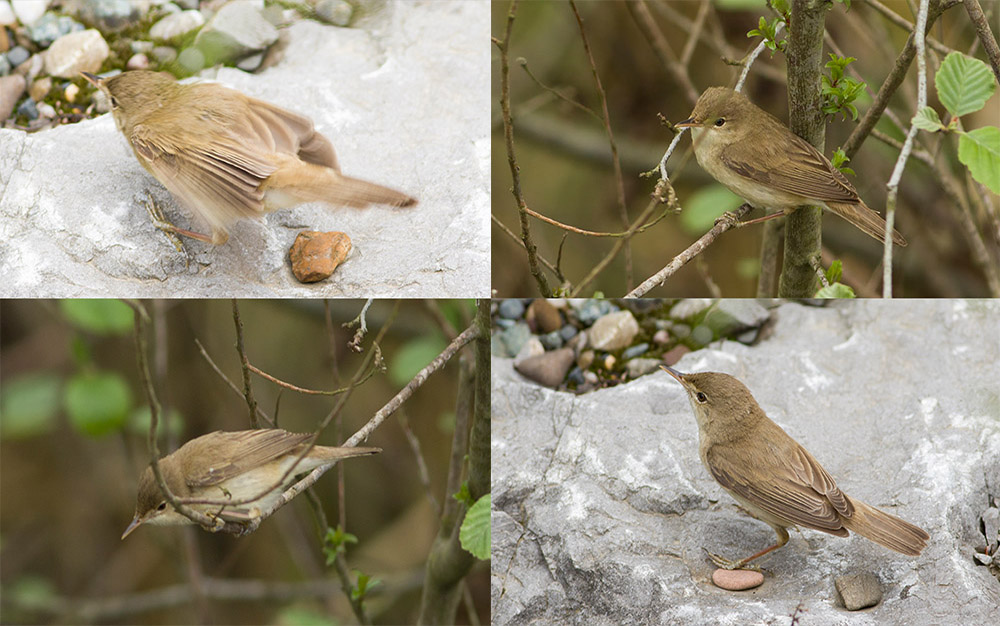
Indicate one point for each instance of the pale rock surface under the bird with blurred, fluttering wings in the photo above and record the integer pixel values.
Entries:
(403, 96)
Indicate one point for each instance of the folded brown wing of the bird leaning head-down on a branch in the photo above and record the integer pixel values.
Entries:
(251, 448)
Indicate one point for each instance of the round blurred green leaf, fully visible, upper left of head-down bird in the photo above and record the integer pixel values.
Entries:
(97, 403)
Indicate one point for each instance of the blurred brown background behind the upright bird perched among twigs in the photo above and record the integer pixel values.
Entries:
(565, 159)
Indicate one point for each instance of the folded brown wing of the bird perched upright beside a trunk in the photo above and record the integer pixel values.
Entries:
(798, 168)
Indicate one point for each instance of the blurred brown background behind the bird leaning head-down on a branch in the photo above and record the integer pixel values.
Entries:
(73, 430)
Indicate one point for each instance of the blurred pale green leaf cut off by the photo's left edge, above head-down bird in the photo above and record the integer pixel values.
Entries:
(29, 405)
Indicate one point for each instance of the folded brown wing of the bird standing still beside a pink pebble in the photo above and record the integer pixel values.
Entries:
(800, 490)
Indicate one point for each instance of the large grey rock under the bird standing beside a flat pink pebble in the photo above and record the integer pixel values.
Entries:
(601, 505)
